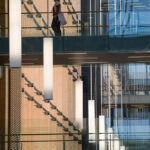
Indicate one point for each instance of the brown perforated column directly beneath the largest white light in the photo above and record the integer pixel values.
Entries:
(14, 108)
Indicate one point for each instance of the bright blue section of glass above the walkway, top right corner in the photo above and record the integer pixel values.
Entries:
(129, 17)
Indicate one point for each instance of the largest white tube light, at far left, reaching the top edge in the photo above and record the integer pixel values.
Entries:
(15, 33)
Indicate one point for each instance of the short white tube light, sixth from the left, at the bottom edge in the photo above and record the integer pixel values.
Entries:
(110, 139)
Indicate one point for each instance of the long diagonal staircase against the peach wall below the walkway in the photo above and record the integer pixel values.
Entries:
(53, 111)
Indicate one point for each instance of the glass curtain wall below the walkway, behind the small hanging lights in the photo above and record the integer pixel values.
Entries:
(121, 94)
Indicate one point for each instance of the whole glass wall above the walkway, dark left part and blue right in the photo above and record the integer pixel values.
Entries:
(116, 17)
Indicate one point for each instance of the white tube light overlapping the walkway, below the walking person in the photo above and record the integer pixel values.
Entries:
(48, 68)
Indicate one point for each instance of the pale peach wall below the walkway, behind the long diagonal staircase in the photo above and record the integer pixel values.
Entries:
(33, 119)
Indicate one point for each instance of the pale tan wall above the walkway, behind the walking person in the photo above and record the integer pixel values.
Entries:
(42, 7)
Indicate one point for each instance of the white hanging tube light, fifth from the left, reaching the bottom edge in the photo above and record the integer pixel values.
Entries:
(102, 133)
